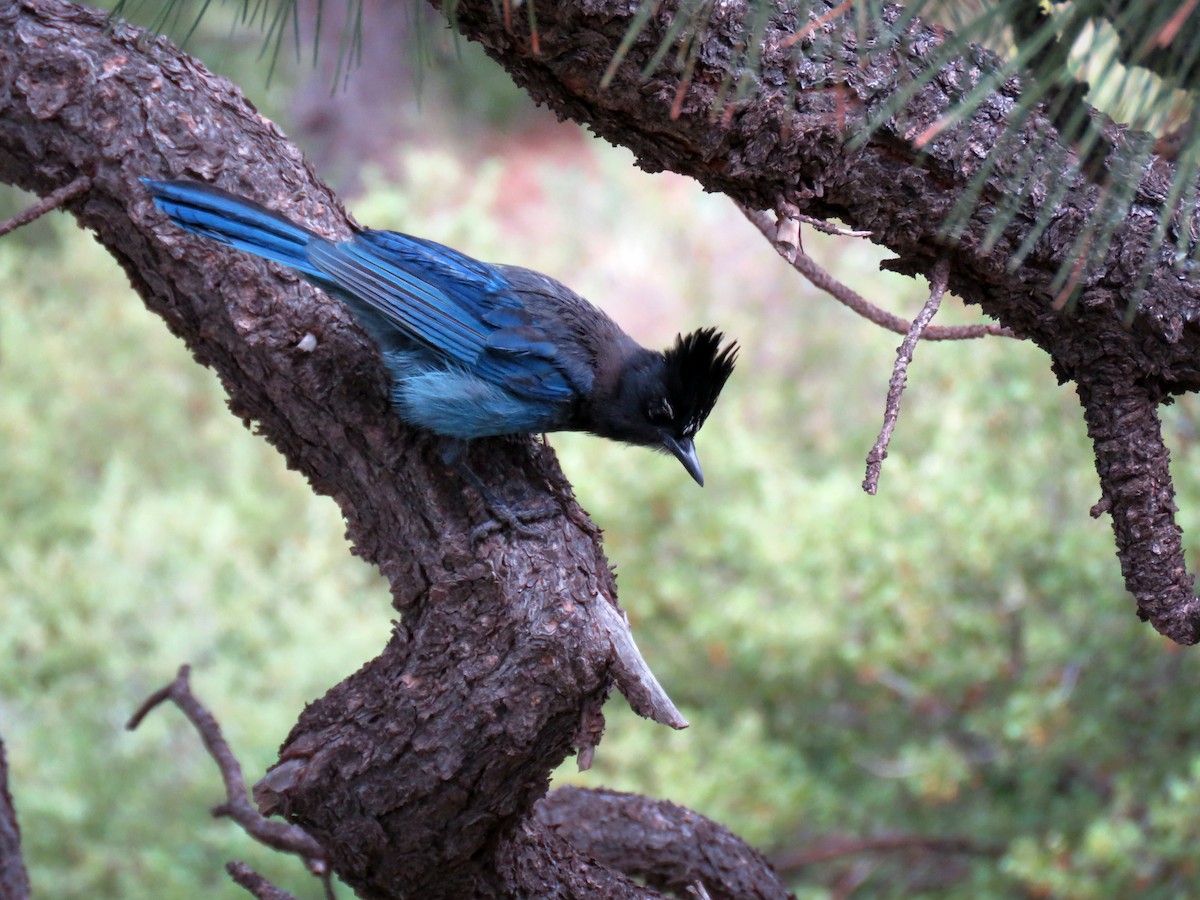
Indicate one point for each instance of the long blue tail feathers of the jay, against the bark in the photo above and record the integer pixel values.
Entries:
(241, 224)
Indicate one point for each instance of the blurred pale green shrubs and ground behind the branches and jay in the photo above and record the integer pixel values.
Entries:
(955, 658)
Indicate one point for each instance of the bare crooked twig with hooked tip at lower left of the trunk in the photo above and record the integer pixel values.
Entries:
(279, 836)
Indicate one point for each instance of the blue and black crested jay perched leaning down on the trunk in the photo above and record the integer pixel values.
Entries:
(478, 350)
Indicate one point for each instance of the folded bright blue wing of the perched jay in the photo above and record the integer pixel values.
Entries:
(458, 308)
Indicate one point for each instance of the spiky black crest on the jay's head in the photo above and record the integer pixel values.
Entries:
(697, 370)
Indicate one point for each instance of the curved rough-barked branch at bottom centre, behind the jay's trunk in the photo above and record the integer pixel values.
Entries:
(671, 848)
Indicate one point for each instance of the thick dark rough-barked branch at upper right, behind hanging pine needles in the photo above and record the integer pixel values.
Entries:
(785, 145)
